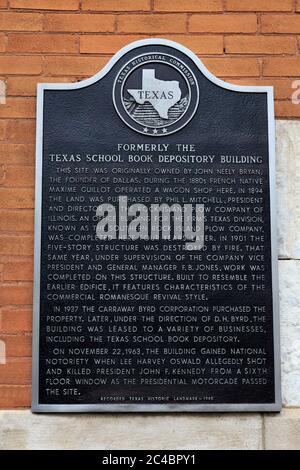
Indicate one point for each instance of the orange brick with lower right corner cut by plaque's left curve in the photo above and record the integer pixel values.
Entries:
(64, 65)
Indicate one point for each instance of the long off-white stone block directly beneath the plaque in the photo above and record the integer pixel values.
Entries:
(24, 430)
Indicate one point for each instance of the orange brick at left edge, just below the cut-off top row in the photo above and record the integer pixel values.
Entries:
(21, 21)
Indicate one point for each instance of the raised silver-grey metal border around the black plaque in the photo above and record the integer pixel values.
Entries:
(213, 408)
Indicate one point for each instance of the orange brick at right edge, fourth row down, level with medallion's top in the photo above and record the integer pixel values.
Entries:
(281, 67)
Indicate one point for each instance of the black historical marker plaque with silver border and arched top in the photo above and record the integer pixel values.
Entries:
(155, 240)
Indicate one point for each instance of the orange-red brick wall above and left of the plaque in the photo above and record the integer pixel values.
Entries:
(242, 41)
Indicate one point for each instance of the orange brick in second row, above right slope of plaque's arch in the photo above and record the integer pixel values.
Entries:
(223, 24)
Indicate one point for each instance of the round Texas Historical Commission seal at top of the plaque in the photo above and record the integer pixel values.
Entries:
(156, 94)
